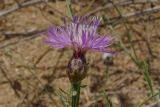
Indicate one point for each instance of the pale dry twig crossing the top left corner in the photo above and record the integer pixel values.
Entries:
(19, 6)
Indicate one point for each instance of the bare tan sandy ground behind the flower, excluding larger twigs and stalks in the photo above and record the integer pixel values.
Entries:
(33, 73)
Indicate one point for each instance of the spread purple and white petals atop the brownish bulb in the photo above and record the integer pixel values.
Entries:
(79, 36)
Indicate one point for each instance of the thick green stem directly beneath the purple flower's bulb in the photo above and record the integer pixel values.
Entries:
(75, 94)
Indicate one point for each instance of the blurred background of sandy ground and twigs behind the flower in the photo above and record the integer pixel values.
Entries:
(32, 74)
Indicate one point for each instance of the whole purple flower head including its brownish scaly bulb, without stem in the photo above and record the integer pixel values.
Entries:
(81, 37)
